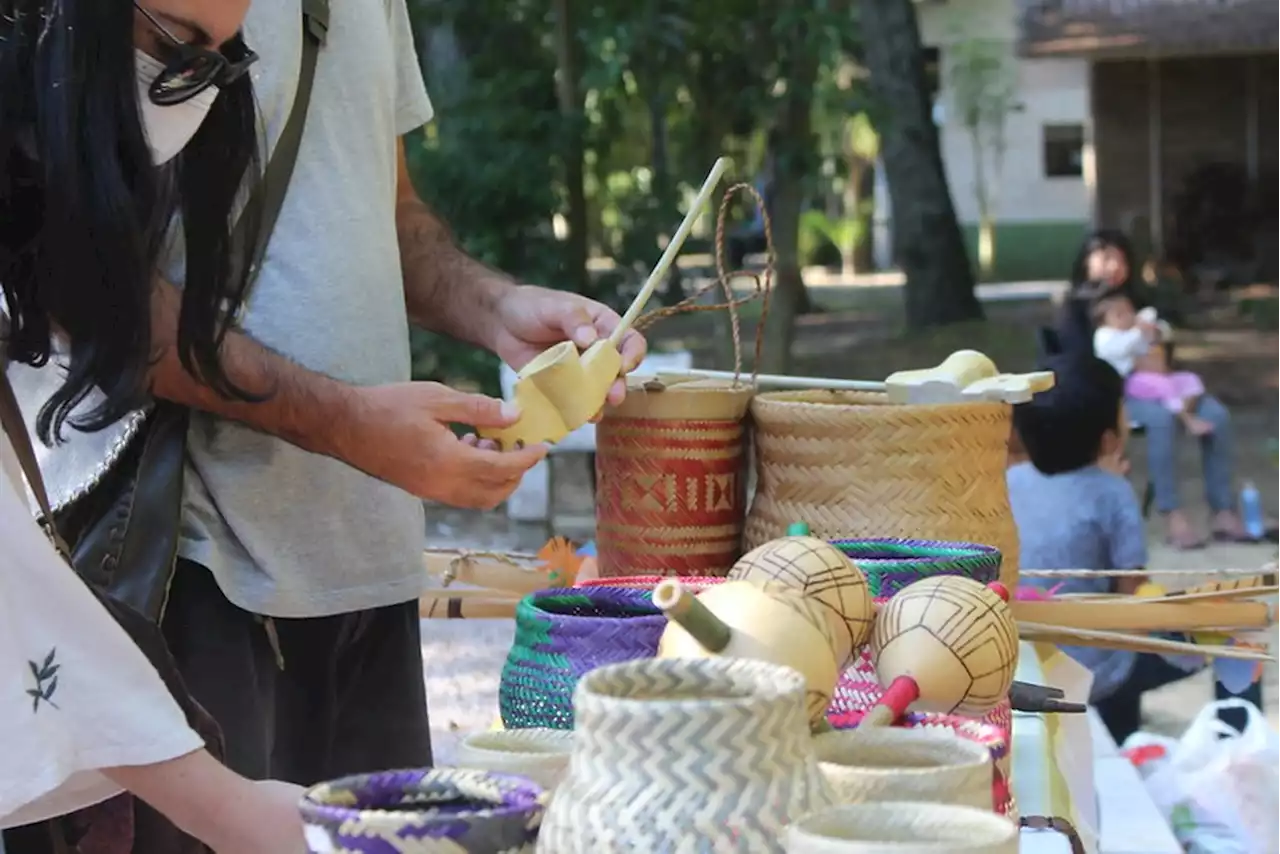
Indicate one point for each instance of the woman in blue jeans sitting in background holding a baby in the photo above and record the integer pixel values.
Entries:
(1105, 268)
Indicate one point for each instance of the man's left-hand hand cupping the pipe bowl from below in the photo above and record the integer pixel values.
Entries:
(401, 436)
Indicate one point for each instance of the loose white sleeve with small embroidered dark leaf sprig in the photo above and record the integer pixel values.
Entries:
(76, 693)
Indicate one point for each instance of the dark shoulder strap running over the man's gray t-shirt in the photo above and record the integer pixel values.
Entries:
(268, 199)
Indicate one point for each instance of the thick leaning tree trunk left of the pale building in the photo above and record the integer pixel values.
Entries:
(927, 239)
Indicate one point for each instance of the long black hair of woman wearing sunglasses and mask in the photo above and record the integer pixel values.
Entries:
(85, 214)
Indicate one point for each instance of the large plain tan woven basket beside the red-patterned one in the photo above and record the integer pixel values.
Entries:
(853, 465)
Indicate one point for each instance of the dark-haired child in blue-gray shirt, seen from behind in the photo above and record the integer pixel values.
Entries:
(1075, 512)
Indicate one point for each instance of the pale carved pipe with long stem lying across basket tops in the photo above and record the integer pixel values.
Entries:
(964, 376)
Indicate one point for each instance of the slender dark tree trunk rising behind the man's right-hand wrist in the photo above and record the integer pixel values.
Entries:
(570, 97)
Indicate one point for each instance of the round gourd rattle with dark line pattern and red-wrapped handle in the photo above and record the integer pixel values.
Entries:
(948, 643)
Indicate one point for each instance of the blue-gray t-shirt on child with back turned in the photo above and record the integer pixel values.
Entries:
(1089, 519)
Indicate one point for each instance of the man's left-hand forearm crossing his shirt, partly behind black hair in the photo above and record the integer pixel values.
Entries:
(303, 408)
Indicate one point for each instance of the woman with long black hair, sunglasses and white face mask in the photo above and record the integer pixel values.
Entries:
(115, 118)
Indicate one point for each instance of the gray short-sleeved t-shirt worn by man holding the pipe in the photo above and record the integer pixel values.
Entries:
(290, 533)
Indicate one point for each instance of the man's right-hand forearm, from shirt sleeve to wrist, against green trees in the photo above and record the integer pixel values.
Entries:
(446, 290)
